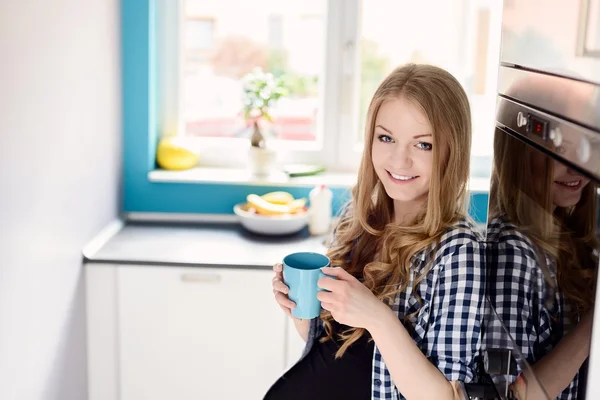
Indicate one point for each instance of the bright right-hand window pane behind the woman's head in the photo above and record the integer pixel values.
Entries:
(461, 36)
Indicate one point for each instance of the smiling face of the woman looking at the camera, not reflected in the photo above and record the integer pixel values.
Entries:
(402, 152)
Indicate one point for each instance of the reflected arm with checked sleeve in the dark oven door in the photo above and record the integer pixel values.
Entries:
(517, 296)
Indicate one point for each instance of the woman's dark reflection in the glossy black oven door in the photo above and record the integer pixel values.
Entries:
(541, 260)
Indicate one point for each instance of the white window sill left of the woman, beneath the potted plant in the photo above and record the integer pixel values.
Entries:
(231, 176)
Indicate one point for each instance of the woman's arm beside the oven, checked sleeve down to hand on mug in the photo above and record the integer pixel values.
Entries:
(454, 326)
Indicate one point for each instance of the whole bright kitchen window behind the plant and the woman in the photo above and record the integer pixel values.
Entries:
(331, 56)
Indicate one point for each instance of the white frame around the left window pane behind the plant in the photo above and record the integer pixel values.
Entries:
(335, 149)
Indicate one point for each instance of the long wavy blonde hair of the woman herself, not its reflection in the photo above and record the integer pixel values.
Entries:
(367, 243)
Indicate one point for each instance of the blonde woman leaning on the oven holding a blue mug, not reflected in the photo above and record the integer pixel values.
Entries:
(403, 318)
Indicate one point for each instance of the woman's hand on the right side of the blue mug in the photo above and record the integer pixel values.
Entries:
(349, 301)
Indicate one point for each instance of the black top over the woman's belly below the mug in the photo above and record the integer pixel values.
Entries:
(320, 376)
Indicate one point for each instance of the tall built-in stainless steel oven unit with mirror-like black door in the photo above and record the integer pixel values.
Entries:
(542, 230)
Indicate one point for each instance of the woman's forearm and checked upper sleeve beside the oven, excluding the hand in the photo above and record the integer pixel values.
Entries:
(454, 332)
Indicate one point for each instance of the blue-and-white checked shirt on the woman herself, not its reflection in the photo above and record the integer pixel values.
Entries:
(447, 327)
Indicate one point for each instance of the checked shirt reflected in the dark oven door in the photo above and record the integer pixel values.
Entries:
(526, 307)
